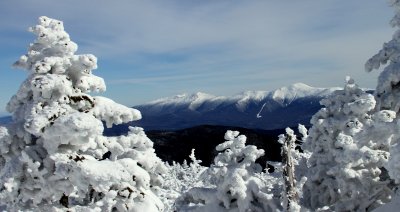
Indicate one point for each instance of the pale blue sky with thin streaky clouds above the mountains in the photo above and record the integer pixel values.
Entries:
(152, 49)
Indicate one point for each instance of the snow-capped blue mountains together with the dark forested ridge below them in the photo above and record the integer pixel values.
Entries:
(178, 124)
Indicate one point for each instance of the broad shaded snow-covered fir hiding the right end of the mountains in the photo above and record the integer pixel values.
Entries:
(349, 145)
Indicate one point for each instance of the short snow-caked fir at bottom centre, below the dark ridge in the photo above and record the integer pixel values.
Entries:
(236, 182)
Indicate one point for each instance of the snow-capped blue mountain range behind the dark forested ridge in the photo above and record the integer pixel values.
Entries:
(267, 110)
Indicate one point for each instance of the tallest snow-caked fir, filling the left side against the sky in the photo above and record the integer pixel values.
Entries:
(54, 156)
